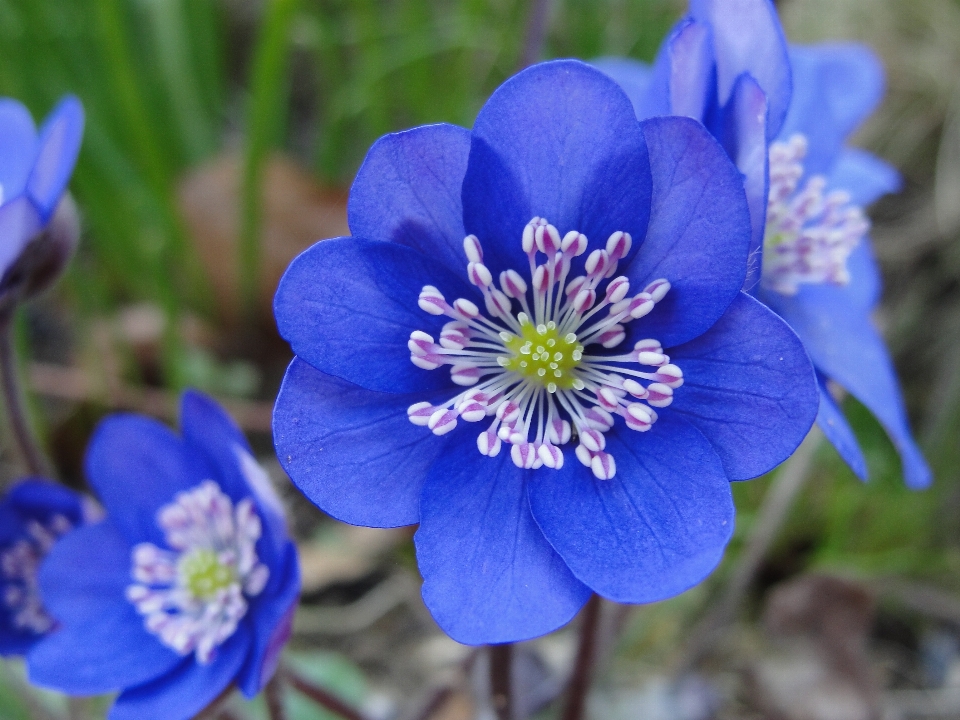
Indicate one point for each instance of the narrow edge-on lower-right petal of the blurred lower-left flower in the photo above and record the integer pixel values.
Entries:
(271, 615)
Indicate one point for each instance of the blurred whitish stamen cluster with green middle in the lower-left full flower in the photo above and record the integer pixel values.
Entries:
(193, 596)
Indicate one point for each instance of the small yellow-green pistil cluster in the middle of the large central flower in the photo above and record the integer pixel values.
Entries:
(540, 353)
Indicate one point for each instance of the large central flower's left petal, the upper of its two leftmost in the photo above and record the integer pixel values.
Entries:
(347, 306)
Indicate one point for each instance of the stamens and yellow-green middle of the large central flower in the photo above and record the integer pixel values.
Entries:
(527, 364)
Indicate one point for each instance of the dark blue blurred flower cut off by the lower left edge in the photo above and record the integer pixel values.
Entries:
(33, 515)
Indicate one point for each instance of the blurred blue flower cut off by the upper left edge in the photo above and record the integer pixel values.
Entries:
(34, 170)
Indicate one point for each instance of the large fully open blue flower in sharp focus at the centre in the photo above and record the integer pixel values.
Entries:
(570, 279)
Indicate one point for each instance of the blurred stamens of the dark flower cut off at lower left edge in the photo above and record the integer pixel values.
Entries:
(18, 573)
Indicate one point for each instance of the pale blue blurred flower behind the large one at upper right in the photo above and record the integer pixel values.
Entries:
(811, 260)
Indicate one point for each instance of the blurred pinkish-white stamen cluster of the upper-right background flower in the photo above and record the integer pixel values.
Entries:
(809, 235)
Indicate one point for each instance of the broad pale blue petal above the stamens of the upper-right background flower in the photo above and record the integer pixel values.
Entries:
(835, 87)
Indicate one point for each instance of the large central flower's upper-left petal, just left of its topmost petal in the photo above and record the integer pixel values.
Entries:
(408, 191)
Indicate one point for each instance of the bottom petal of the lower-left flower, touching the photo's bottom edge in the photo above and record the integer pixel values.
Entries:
(183, 693)
